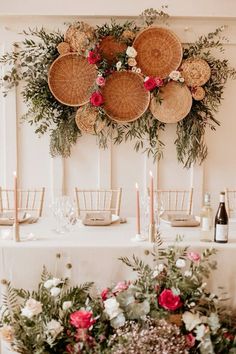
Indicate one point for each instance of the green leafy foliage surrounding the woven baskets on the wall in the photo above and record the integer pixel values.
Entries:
(30, 62)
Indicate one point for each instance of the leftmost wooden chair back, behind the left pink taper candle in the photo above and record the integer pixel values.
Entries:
(30, 200)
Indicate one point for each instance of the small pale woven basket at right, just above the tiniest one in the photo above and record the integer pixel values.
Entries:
(195, 71)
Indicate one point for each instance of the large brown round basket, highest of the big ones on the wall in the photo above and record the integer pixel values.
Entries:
(159, 51)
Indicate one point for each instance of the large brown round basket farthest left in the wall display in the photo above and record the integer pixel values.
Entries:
(70, 79)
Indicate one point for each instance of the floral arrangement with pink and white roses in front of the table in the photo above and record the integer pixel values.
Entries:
(167, 309)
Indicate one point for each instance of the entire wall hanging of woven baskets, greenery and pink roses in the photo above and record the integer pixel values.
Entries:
(120, 81)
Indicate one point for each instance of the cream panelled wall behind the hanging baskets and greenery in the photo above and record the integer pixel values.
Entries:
(119, 165)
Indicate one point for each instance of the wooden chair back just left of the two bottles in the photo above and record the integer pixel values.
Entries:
(175, 201)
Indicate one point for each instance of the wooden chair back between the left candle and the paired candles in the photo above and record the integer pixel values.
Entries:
(98, 200)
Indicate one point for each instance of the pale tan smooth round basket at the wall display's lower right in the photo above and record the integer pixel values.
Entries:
(175, 105)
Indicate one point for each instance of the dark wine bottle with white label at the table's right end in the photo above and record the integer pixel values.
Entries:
(221, 222)
